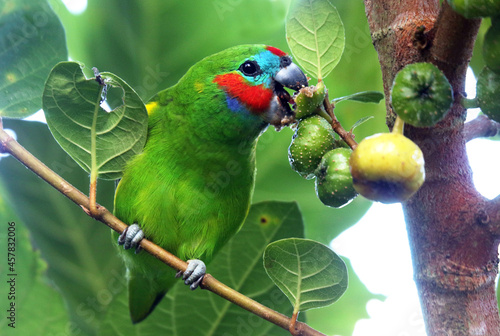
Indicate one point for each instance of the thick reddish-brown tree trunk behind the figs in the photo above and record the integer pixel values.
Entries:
(453, 230)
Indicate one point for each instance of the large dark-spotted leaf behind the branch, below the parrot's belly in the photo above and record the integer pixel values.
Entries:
(238, 265)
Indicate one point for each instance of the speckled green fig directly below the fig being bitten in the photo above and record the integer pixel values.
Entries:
(313, 138)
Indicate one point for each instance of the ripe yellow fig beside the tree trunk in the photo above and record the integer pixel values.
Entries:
(387, 168)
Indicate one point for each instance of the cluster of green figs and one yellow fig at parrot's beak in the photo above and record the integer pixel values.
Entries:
(385, 167)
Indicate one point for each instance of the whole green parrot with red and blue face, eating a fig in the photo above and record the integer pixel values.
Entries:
(190, 189)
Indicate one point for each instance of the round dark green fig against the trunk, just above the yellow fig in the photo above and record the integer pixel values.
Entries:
(421, 95)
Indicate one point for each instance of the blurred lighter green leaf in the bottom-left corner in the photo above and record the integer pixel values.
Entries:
(30, 306)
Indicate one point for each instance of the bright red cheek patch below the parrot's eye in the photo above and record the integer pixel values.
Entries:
(256, 97)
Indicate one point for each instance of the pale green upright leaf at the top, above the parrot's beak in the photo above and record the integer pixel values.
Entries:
(315, 35)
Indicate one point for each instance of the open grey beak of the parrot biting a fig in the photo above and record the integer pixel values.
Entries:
(289, 76)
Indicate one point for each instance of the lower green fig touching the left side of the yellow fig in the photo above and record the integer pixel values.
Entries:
(334, 185)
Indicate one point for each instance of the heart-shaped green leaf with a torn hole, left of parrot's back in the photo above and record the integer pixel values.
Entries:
(74, 114)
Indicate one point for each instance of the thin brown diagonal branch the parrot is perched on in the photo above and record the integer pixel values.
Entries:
(11, 146)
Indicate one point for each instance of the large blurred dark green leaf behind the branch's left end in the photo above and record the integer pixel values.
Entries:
(82, 261)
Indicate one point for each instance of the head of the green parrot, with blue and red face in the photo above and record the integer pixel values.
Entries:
(243, 88)
